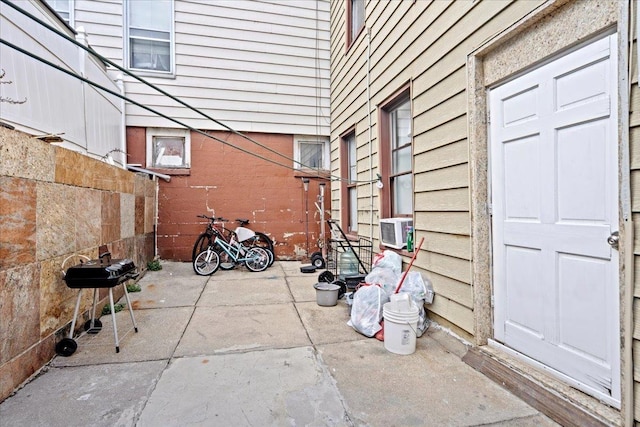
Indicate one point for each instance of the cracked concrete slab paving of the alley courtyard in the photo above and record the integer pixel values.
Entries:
(254, 349)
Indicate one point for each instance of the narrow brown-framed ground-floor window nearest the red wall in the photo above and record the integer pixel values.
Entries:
(349, 177)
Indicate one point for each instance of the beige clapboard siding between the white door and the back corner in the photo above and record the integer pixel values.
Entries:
(424, 43)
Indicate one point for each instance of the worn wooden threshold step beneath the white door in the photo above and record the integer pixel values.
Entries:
(562, 403)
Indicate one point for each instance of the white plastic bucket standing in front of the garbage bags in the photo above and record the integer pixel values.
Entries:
(400, 328)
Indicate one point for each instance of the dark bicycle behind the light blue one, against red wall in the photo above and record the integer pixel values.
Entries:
(205, 239)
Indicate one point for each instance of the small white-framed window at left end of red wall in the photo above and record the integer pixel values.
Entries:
(168, 148)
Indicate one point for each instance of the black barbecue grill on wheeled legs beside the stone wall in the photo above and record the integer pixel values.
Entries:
(97, 273)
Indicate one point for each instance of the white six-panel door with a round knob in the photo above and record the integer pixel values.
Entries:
(554, 184)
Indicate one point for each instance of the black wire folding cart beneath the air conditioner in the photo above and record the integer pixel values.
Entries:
(338, 244)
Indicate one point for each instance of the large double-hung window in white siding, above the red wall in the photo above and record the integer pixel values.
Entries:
(150, 35)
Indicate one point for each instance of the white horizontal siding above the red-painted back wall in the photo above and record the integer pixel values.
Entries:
(253, 65)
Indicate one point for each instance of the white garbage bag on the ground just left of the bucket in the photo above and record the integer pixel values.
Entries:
(366, 311)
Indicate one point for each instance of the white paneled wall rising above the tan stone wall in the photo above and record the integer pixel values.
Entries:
(89, 120)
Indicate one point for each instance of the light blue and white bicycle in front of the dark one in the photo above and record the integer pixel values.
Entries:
(207, 262)
